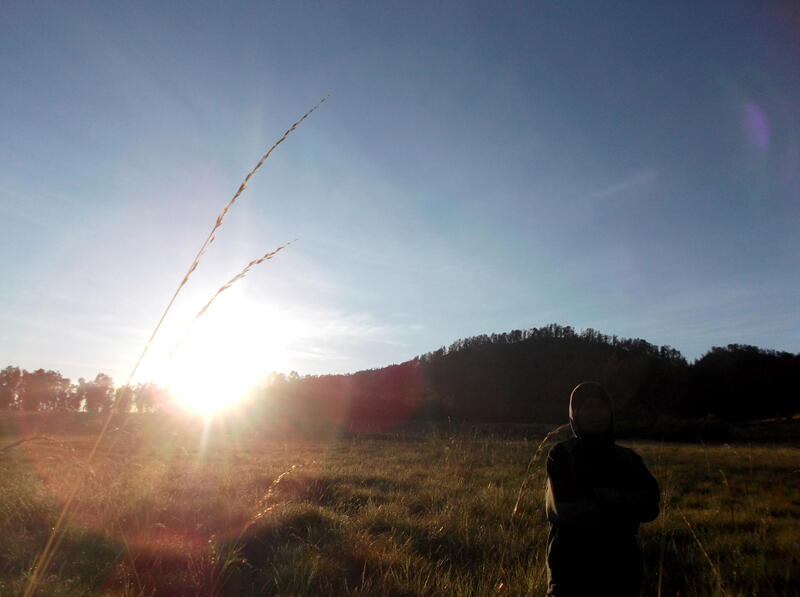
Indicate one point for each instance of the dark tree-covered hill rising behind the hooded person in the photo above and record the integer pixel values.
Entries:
(525, 376)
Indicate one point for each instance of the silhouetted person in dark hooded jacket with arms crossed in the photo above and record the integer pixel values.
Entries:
(597, 495)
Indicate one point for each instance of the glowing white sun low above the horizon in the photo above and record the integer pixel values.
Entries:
(233, 346)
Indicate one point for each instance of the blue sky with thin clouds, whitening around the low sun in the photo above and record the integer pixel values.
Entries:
(477, 168)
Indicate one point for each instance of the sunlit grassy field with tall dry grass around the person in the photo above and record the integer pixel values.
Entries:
(170, 508)
